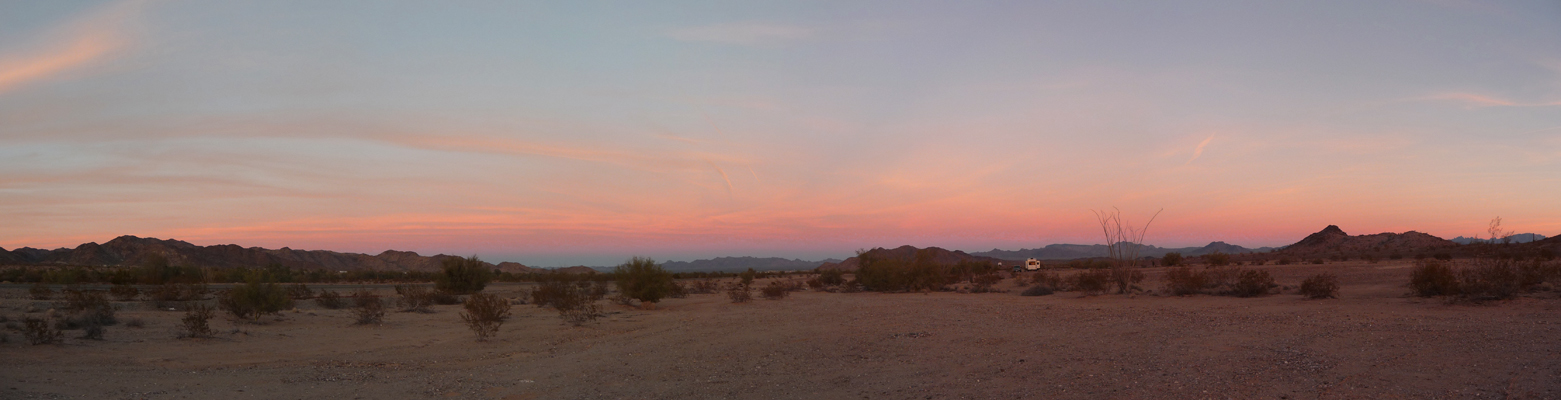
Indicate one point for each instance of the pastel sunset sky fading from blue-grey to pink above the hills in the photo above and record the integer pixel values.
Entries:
(561, 134)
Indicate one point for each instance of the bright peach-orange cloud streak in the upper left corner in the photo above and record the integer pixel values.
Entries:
(80, 43)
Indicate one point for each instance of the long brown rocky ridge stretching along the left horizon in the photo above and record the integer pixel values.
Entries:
(130, 251)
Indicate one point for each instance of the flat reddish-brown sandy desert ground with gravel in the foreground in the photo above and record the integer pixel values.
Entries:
(1373, 343)
